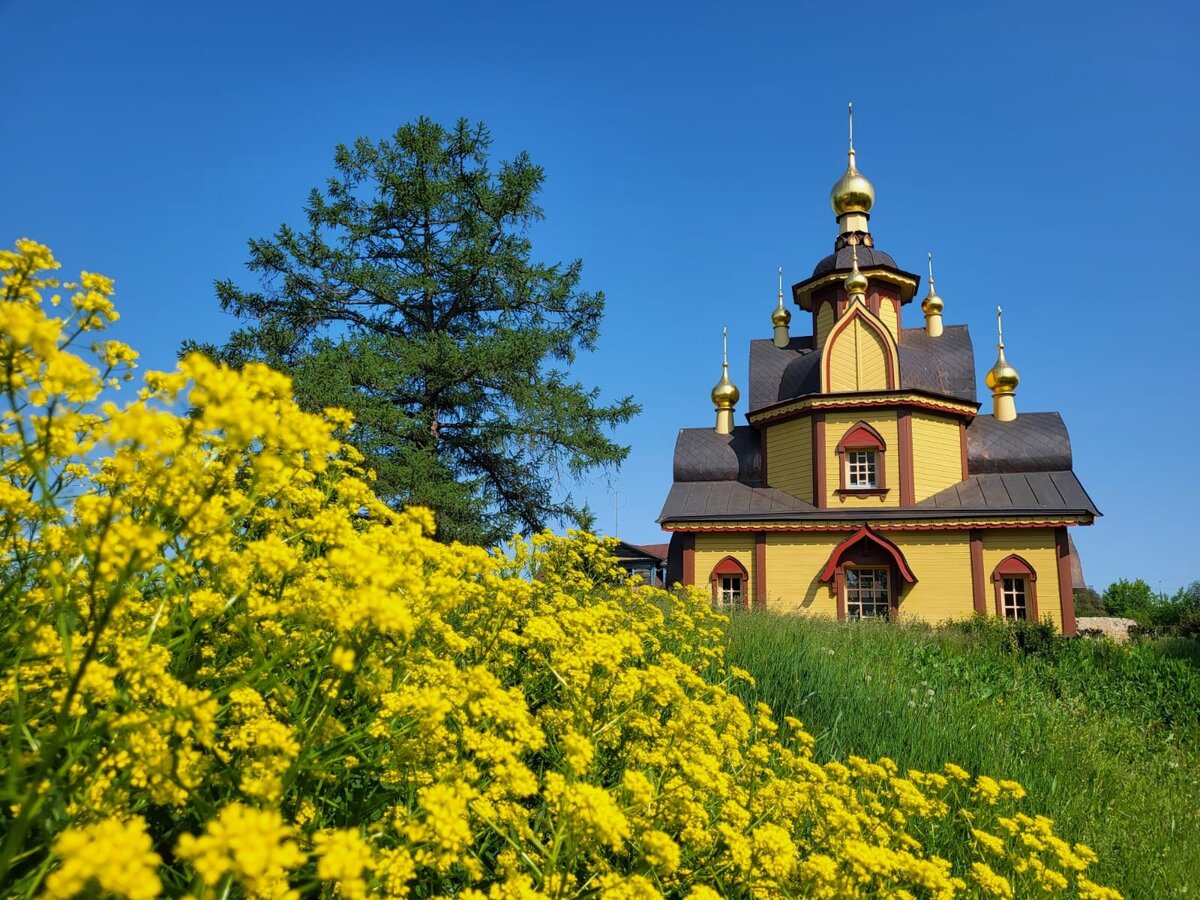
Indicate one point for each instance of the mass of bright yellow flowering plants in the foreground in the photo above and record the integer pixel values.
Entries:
(229, 670)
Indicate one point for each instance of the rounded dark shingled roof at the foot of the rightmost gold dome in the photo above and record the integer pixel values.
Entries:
(1033, 442)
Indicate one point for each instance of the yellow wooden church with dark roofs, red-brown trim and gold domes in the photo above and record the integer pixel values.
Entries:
(868, 483)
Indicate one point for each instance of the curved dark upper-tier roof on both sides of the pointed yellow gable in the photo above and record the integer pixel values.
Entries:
(943, 365)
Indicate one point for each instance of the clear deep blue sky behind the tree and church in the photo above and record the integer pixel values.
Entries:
(1046, 153)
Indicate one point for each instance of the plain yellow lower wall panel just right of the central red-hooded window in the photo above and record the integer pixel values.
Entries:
(941, 563)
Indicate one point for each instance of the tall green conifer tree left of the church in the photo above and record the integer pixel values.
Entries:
(413, 301)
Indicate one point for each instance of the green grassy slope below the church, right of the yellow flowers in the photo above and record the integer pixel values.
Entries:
(1106, 740)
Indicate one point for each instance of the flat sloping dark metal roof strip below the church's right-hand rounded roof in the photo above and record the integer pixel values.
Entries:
(1015, 493)
